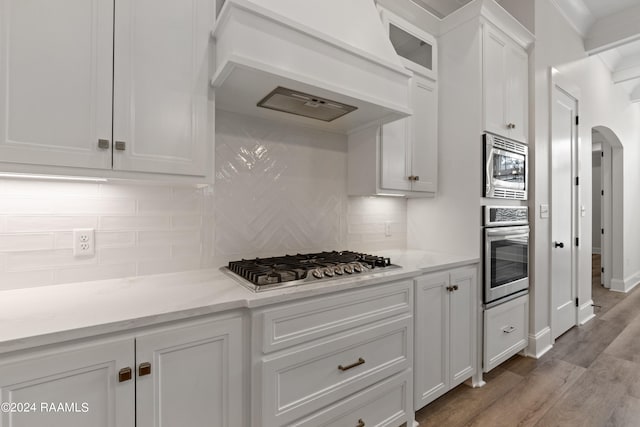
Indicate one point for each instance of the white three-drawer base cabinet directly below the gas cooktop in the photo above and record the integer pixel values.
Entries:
(347, 353)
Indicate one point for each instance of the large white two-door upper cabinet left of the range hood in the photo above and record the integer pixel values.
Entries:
(106, 84)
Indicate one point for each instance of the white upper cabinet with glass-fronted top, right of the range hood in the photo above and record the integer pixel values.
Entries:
(404, 158)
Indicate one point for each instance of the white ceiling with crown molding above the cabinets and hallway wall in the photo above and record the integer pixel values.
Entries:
(610, 29)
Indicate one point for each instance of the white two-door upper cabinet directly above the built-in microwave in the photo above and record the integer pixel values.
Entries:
(505, 77)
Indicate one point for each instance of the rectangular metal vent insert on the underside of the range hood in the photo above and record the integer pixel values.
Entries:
(303, 104)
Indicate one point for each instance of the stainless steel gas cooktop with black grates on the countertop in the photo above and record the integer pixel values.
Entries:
(262, 274)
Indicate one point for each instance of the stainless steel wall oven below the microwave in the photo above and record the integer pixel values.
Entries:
(506, 253)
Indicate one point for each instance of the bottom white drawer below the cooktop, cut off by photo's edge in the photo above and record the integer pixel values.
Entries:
(384, 404)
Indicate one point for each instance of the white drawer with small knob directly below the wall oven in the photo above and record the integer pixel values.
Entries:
(505, 331)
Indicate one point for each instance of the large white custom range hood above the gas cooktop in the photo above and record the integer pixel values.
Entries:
(322, 63)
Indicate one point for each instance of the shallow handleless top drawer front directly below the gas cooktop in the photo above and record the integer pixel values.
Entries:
(301, 322)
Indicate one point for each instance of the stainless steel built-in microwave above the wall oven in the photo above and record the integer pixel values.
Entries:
(506, 164)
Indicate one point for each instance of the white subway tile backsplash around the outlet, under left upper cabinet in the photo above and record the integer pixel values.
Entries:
(135, 230)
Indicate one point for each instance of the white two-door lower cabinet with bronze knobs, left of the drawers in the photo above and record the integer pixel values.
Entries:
(187, 374)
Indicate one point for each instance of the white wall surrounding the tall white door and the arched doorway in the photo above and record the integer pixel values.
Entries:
(601, 103)
